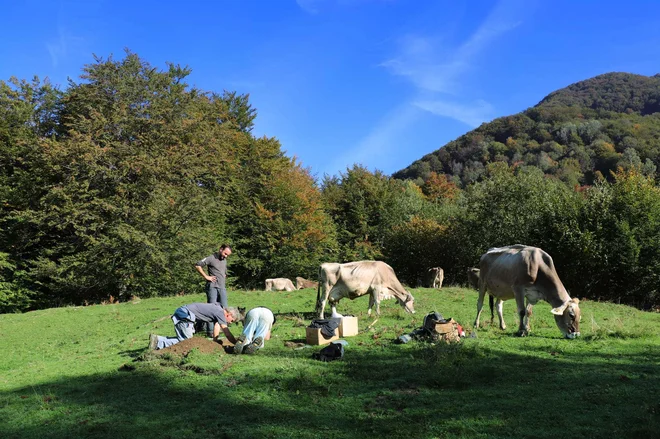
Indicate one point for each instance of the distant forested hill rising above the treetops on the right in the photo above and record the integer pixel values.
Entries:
(576, 134)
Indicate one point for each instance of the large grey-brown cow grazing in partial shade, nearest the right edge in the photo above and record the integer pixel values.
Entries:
(523, 272)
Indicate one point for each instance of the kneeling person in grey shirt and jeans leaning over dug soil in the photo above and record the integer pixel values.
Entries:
(184, 319)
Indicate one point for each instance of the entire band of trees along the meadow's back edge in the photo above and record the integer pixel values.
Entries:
(115, 186)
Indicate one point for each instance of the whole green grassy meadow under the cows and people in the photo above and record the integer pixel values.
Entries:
(83, 372)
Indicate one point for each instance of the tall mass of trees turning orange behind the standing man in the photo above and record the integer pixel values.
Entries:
(117, 185)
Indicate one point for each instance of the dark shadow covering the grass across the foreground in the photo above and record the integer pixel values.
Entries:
(414, 390)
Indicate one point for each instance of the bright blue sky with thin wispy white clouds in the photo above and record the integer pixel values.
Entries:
(338, 82)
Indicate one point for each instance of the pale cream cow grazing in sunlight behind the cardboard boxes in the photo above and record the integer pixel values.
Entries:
(355, 279)
